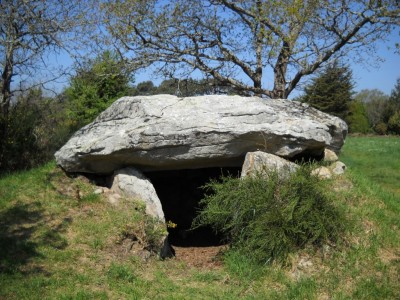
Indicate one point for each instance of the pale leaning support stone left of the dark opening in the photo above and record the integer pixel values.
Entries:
(133, 183)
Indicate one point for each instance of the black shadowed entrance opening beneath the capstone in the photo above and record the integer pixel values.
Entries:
(180, 192)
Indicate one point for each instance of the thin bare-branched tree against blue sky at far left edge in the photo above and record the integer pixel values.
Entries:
(30, 30)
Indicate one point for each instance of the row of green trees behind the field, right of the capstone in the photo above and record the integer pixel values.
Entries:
(368, 111)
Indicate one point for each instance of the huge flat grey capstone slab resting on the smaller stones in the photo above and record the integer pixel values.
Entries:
(164, 132)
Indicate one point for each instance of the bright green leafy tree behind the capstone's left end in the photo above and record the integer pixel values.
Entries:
(96, 85)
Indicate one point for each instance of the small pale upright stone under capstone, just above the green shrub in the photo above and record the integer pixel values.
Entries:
(264, 162)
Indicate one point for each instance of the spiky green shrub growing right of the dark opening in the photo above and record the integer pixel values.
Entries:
(273, 217)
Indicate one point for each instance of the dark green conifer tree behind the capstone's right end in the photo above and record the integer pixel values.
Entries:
(331, 90)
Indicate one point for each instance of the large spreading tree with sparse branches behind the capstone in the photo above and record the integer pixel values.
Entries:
(238, 42)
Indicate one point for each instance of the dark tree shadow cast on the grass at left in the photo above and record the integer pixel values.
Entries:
(23, 230)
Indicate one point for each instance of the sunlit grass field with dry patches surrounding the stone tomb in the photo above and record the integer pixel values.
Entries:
(60, 240)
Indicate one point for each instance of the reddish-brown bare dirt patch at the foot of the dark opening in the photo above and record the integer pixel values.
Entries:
(201, 257)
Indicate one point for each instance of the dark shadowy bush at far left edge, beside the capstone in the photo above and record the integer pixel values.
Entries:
(34, 129)
